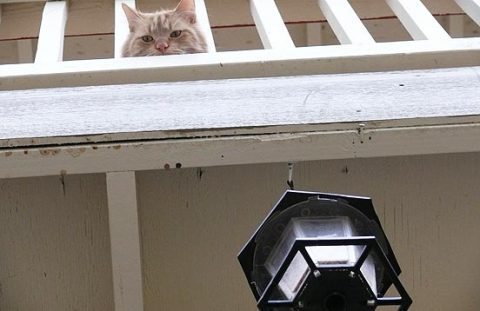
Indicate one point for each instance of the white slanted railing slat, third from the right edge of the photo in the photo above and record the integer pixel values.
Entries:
(347, 26)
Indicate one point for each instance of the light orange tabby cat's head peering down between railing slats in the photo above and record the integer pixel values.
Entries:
(164, 32)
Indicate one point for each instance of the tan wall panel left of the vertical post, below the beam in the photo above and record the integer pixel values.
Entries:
(55, 244)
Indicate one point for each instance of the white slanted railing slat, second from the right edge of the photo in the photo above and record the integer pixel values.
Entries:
(417, 20)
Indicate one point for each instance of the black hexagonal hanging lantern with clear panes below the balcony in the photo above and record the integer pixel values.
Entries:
(322, 252)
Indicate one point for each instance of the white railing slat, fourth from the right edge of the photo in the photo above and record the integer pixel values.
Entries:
(270, 25)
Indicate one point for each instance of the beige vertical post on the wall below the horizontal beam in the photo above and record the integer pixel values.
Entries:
(125, 241)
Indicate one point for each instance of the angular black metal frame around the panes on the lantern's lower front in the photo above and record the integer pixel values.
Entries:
(370, 243)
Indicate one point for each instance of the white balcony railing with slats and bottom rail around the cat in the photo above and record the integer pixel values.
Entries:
(357, 51)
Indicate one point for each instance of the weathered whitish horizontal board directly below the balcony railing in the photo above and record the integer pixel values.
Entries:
(164, 110)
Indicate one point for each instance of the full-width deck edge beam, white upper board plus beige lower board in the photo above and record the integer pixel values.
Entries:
(396, 118)
